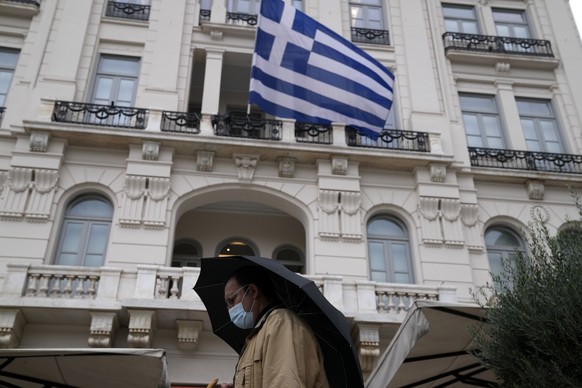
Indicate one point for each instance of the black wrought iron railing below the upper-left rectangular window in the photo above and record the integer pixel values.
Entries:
(102, 115)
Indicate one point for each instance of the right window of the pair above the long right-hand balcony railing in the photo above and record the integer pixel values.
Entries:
(539, 126)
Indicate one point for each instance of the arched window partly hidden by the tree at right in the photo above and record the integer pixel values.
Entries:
(501, 242)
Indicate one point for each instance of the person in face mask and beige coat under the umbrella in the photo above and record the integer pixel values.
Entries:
(281, 350)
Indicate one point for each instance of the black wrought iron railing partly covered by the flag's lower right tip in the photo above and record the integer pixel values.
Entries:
(390, 139)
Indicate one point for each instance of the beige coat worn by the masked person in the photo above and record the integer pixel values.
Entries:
(281, 352)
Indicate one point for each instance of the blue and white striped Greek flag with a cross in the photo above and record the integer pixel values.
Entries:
(304, 71)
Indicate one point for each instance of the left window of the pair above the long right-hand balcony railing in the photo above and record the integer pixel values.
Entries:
(481, 120)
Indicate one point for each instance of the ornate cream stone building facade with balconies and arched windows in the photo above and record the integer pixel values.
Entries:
(127, 153)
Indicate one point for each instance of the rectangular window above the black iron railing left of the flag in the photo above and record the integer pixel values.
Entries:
(116, 81)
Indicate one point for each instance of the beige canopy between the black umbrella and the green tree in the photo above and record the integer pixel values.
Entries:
(431, 348)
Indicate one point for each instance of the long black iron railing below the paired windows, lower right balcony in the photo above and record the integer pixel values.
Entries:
(525, 160)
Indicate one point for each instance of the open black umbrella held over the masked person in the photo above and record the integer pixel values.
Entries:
(298, 294)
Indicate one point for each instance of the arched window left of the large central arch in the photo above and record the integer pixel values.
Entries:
(85, 232)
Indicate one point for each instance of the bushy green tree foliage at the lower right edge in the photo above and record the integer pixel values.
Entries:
(534, 310)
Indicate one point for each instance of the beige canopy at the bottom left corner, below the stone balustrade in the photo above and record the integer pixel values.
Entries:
(87, 368)
